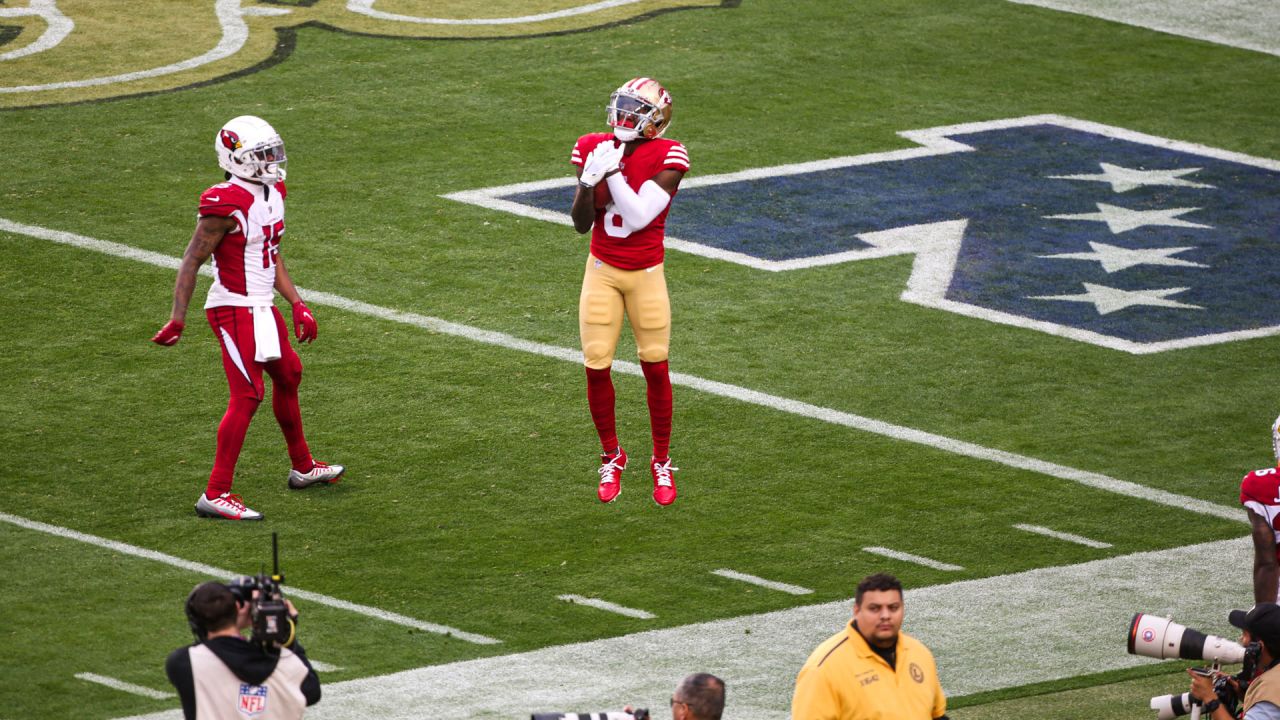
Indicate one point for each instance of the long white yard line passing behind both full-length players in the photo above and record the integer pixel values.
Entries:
(1095, 481)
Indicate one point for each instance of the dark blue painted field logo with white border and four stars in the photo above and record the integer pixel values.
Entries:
(1062, 226)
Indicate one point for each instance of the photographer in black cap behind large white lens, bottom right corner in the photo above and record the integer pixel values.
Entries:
(1261, 626)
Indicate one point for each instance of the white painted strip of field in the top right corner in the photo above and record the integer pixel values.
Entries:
(1251, 25)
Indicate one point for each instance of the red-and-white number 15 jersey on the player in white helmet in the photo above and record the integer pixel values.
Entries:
(245, 259)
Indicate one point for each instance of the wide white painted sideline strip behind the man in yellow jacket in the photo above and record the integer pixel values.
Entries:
(988, 635)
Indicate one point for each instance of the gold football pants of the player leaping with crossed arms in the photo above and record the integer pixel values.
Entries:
(607, 294)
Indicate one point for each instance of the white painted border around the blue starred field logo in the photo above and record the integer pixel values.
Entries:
(935, 245)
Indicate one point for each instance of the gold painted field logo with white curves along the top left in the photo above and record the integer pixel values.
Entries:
(63, 52)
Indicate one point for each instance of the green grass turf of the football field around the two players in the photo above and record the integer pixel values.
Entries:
(470, 500)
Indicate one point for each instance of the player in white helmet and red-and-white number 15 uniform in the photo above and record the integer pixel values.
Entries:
(240, 225)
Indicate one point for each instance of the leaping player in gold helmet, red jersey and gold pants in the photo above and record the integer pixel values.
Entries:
(625, 185)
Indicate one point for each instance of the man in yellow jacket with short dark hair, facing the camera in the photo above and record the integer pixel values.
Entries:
(871, 671)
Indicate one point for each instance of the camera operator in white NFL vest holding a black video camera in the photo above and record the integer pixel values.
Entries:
(226, 677)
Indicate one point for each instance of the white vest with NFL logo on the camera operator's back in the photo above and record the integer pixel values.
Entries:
(222, 696)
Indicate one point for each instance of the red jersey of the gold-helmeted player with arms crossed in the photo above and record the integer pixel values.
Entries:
(610, 240)
